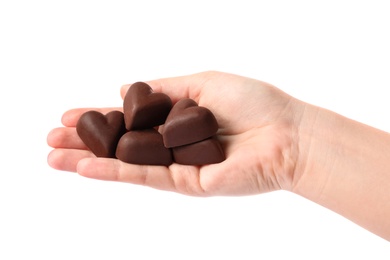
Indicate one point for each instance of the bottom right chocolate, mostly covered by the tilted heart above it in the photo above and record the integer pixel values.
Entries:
(204, 152)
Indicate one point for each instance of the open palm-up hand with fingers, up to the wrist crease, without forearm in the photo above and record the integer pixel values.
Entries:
(257, 130)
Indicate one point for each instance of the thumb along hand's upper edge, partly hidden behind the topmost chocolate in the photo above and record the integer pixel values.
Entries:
(176, 88)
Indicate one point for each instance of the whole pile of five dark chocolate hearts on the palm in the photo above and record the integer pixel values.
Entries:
(187, 136)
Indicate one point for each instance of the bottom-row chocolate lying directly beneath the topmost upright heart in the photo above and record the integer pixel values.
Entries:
(143, 147)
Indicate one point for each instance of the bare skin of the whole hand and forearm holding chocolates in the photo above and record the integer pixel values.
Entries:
(272, 141)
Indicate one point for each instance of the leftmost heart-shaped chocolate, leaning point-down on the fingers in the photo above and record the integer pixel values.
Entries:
(101, 133)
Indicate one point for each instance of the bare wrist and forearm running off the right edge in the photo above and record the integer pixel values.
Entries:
(343, 165)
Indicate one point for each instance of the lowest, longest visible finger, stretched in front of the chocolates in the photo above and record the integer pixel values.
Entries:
(177, 178)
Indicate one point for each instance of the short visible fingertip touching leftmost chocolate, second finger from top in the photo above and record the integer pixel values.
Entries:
(65, 137)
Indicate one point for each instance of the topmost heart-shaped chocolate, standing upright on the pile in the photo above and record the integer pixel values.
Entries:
(143, 108)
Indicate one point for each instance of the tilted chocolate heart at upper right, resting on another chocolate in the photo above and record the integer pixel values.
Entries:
(188, 123)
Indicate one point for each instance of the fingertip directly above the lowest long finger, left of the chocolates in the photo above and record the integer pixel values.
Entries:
(67, 159)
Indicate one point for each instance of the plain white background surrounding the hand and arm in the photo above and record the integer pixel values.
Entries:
(57, 55)
